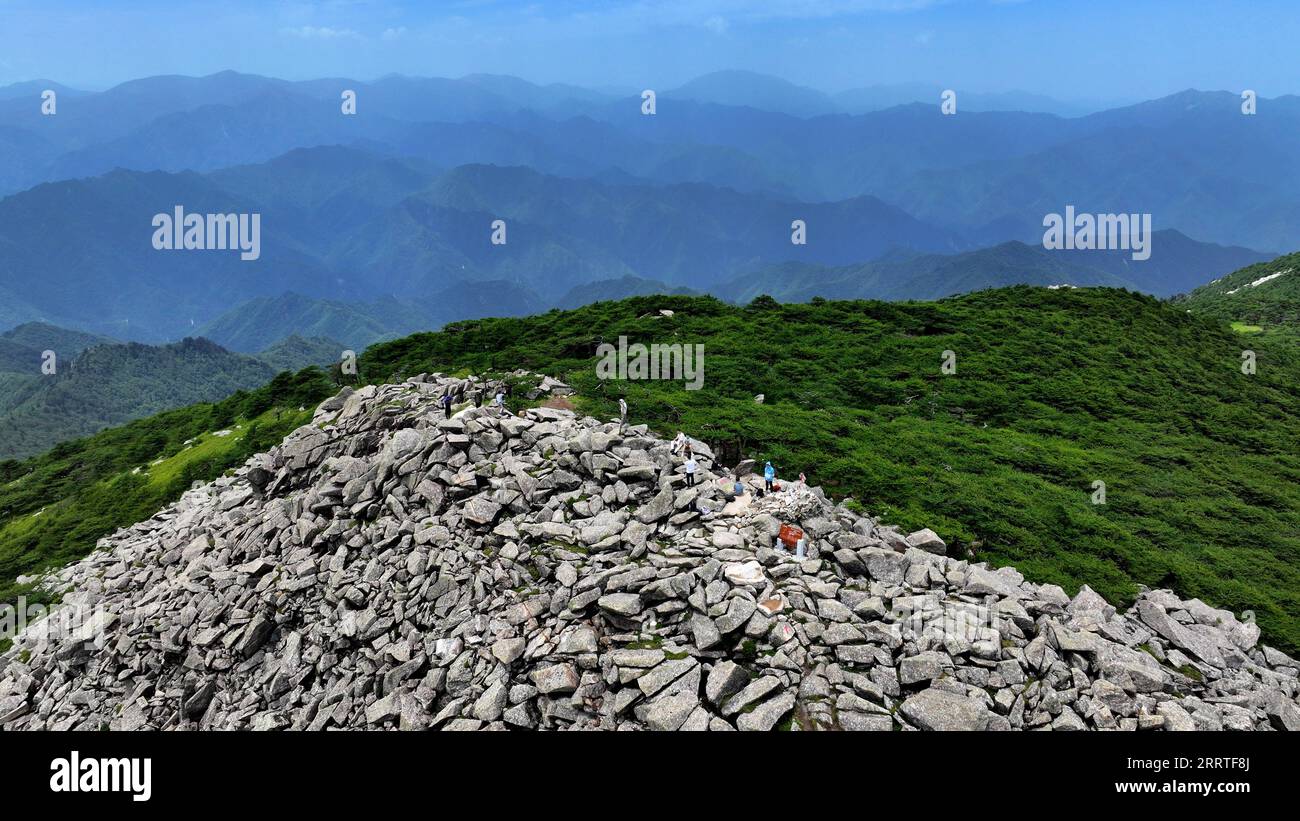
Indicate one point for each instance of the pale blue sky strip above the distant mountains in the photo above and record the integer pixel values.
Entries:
(1094, 50)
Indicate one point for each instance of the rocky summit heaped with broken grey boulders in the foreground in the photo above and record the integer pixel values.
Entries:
(391, 568)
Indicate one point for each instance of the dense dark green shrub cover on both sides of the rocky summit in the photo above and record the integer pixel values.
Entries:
(1055, 390)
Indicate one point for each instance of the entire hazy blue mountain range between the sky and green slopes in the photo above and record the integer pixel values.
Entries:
(379, 225)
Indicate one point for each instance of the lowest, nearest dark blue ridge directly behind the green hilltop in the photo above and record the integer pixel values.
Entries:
(899, 275)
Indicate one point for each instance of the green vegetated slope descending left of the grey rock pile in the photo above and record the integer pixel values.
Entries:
(55, 507)
